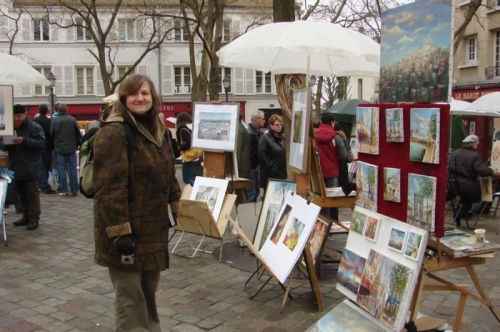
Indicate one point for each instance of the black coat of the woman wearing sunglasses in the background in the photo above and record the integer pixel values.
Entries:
(272, 158)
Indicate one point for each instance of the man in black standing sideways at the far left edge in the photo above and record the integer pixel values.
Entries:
(24, 160)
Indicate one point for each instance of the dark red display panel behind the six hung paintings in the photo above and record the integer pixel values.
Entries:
(397, 155)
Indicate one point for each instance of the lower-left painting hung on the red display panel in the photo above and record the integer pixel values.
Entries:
(367, 185)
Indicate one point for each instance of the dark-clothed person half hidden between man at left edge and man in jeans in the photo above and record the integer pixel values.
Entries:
(46, 165)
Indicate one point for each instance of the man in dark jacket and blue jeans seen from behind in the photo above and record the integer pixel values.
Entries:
(67, 138)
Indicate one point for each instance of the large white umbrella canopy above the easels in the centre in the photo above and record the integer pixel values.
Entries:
(304, 47)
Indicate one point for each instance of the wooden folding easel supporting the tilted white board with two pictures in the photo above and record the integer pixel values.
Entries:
(262, 267)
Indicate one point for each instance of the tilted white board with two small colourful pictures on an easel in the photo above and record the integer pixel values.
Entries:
(286, 242)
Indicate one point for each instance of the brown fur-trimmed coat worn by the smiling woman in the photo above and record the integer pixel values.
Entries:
(139, 208)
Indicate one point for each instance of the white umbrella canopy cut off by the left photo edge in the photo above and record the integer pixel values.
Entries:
(14, 71)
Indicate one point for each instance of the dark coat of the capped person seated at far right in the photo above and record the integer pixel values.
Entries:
(466, 167)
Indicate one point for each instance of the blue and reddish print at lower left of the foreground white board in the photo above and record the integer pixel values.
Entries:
(350, 271)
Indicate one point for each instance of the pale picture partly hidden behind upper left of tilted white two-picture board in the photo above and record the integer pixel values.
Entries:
(273, 201)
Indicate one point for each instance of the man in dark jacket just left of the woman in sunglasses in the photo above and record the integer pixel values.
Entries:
(254, 134)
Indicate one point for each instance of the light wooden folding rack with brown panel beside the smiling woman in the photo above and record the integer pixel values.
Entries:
(195, 218)
